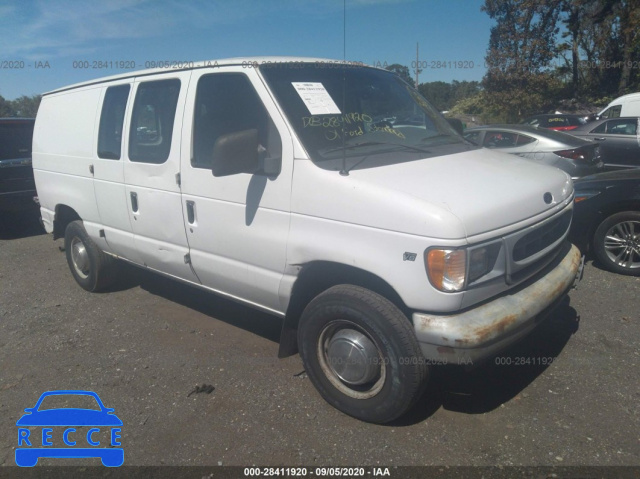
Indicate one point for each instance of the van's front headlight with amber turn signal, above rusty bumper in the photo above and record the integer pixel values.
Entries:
(450, 270)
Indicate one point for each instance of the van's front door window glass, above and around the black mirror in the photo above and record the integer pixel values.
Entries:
(227, 103)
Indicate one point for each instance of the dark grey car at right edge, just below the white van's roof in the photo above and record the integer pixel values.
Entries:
(618, 139)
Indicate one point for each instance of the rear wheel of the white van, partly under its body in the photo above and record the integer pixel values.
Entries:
(92, 269)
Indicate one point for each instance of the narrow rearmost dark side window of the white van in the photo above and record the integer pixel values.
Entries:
(111, 122)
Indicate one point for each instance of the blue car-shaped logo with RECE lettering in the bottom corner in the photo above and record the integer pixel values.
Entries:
(62, 423)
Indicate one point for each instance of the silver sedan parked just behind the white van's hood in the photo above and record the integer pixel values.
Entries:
(576, 156)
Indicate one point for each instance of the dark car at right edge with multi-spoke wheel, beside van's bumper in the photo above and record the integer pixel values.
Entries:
(607, 219)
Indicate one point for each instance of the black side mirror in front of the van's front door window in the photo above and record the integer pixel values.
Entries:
(236, 153)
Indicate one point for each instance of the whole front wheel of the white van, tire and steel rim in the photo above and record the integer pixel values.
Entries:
(388, 380)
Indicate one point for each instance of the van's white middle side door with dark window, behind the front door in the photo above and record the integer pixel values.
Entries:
(156, 213)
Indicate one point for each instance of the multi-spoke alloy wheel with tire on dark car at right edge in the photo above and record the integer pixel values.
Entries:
(616, 243)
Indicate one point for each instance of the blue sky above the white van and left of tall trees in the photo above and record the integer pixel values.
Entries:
(47, 44)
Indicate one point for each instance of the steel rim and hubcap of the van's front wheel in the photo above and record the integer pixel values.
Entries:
(365, 359)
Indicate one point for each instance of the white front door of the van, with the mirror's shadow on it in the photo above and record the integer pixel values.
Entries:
(238, 236)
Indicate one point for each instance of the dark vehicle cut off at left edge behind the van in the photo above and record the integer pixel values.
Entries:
(17, 187)
